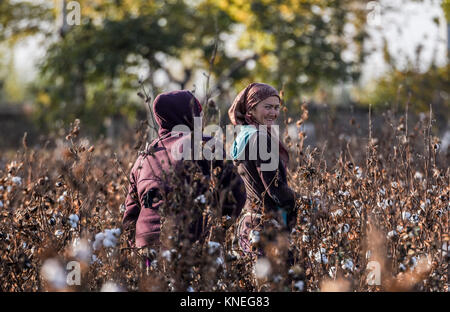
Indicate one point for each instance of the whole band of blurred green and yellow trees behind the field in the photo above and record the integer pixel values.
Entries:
(93, 70)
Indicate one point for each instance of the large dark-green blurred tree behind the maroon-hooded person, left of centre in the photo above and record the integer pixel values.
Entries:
(87, 73)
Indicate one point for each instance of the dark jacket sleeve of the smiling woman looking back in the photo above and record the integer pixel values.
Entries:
(274, 181)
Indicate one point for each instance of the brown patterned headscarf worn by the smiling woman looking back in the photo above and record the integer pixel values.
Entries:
(247, 99)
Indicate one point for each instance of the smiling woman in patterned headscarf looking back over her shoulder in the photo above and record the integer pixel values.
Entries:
(268, 195)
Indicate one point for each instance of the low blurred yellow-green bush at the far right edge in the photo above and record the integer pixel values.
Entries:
(412, 84)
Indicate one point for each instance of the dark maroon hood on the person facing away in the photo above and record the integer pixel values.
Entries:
(175, 108)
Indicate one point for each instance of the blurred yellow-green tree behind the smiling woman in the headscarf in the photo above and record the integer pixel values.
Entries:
(300, 43)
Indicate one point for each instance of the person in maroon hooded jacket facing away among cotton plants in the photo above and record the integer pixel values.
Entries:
(158, 168)
